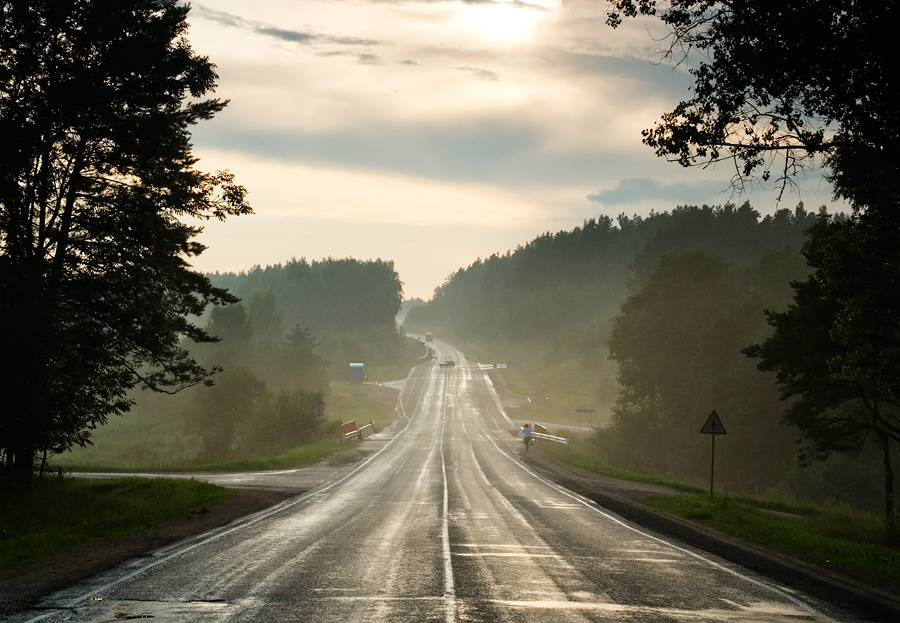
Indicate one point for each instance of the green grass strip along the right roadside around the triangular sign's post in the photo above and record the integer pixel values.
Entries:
(838, 538)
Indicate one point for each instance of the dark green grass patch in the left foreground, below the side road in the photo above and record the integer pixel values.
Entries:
(60, 513)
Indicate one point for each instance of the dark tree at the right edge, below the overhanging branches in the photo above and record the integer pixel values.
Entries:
(836, 350)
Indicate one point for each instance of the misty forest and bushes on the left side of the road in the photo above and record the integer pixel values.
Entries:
(294, 330)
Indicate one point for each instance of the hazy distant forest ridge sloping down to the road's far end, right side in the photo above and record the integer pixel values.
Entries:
(572, 282)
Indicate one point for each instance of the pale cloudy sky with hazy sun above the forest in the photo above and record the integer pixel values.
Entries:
(436, 132)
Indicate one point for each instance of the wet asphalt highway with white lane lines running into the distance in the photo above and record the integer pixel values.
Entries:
(442, 523)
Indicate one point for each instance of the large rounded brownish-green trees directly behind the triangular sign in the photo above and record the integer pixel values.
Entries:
(677, 341)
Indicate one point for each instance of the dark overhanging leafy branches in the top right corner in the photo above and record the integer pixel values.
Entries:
(809, 81)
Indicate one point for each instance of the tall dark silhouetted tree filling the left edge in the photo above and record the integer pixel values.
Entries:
(96, 99)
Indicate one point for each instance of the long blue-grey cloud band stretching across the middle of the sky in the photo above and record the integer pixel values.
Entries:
(489, 150)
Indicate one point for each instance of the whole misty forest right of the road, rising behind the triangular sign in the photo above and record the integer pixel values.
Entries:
(664, 305)
